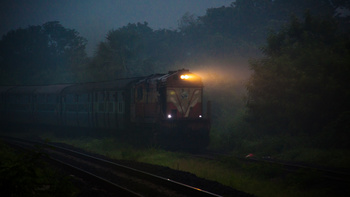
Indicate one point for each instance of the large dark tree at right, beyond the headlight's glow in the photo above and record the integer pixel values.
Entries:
(302, 83)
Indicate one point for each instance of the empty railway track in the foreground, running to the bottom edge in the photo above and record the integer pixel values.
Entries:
(116, 178)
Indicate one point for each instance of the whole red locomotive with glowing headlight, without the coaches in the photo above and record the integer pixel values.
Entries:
(173, 103)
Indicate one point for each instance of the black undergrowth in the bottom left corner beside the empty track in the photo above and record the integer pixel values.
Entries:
(28, 175)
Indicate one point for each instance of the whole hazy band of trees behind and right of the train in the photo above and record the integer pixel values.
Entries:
(277, 75)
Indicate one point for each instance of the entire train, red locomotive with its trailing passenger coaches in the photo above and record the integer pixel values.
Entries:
(164, 109)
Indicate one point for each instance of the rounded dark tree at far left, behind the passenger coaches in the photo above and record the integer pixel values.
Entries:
(41, 54)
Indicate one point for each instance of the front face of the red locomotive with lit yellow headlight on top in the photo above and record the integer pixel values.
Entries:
(183, 124)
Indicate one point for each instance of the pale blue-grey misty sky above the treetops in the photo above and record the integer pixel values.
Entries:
(94, 18)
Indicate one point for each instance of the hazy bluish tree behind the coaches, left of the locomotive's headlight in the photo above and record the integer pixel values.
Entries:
(124, 53)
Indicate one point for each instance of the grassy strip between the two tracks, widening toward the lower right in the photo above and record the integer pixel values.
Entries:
(260, 180)
